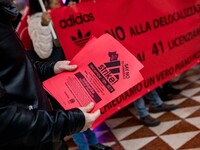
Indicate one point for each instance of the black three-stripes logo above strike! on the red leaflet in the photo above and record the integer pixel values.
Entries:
(114, 64)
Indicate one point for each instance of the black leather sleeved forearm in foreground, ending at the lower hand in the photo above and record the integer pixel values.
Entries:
(20, 126)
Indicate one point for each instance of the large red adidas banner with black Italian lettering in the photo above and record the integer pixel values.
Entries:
(163, 35)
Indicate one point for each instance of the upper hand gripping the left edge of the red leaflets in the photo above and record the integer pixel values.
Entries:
(62, 66)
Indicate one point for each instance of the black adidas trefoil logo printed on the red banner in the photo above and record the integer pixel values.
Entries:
(81, 40)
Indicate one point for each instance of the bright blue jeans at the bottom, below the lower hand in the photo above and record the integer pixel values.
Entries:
(84, 139)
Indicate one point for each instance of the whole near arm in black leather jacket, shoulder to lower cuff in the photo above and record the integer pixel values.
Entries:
(19, 89)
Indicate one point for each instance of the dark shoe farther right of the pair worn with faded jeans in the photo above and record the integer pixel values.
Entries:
(161, 108)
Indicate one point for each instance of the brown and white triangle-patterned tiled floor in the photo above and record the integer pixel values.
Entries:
(179, 129)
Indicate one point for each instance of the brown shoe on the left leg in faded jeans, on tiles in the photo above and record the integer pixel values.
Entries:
(149, 121)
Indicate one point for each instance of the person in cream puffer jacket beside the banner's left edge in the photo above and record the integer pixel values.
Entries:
(45, 47)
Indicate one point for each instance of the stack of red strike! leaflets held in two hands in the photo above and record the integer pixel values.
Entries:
(105, 70)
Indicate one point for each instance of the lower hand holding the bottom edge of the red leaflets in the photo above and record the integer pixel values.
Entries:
(89, 117)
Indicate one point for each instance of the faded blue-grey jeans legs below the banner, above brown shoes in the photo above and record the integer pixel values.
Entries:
(154, 100)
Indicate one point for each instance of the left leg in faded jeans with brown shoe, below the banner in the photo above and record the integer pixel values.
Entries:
(145, 118)
